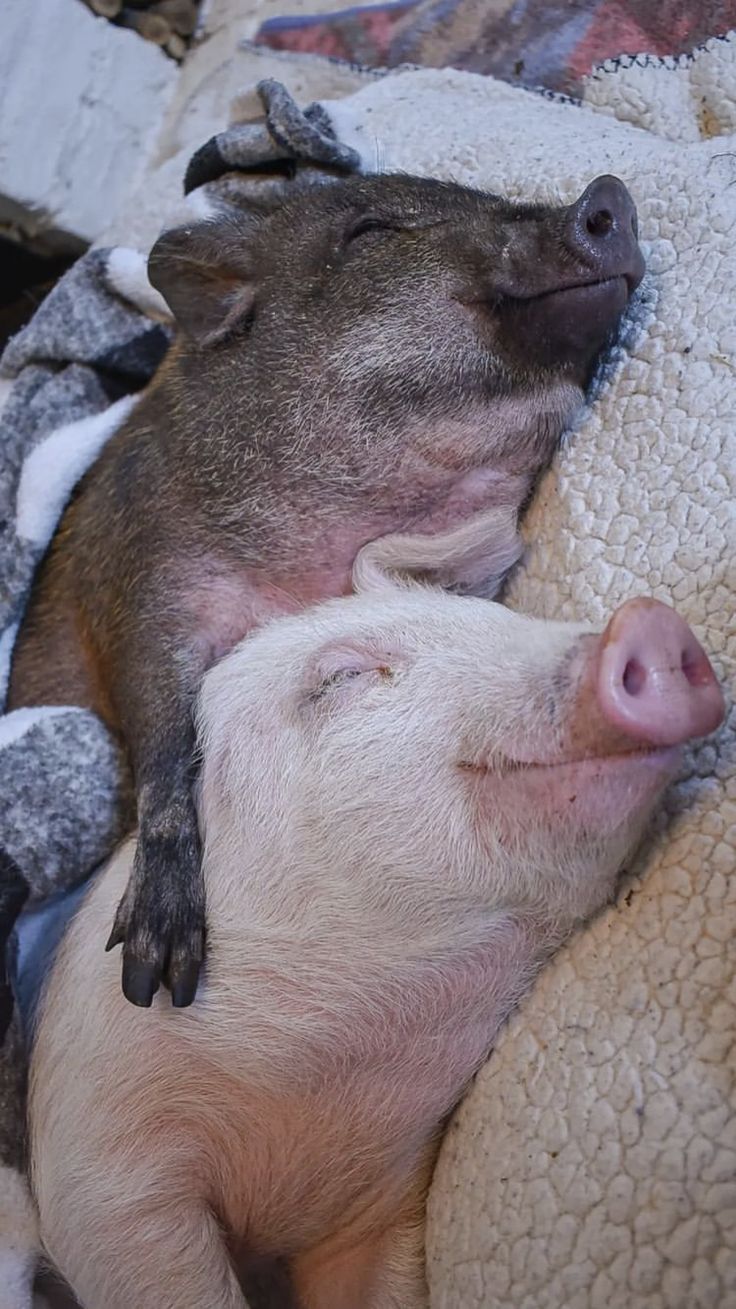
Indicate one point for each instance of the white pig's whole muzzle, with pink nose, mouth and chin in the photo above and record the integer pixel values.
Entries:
(597, 745)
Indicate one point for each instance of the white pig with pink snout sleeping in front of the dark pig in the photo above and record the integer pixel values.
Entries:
(408, 800)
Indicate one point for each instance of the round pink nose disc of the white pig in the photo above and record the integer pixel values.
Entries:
(654, 680)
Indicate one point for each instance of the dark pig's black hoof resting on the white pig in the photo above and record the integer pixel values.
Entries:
(158, 950)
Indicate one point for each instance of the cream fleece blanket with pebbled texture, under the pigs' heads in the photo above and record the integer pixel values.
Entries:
(594, 1163)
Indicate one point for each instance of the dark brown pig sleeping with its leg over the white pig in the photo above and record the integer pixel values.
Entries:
(383, 355)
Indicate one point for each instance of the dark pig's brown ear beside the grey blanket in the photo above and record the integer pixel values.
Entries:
(205, 276)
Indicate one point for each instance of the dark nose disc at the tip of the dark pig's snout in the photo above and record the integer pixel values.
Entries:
(602, 230)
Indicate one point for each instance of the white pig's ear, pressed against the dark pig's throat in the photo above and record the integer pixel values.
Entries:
(475, 558)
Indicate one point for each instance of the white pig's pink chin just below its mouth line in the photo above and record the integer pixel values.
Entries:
(597, 794)
